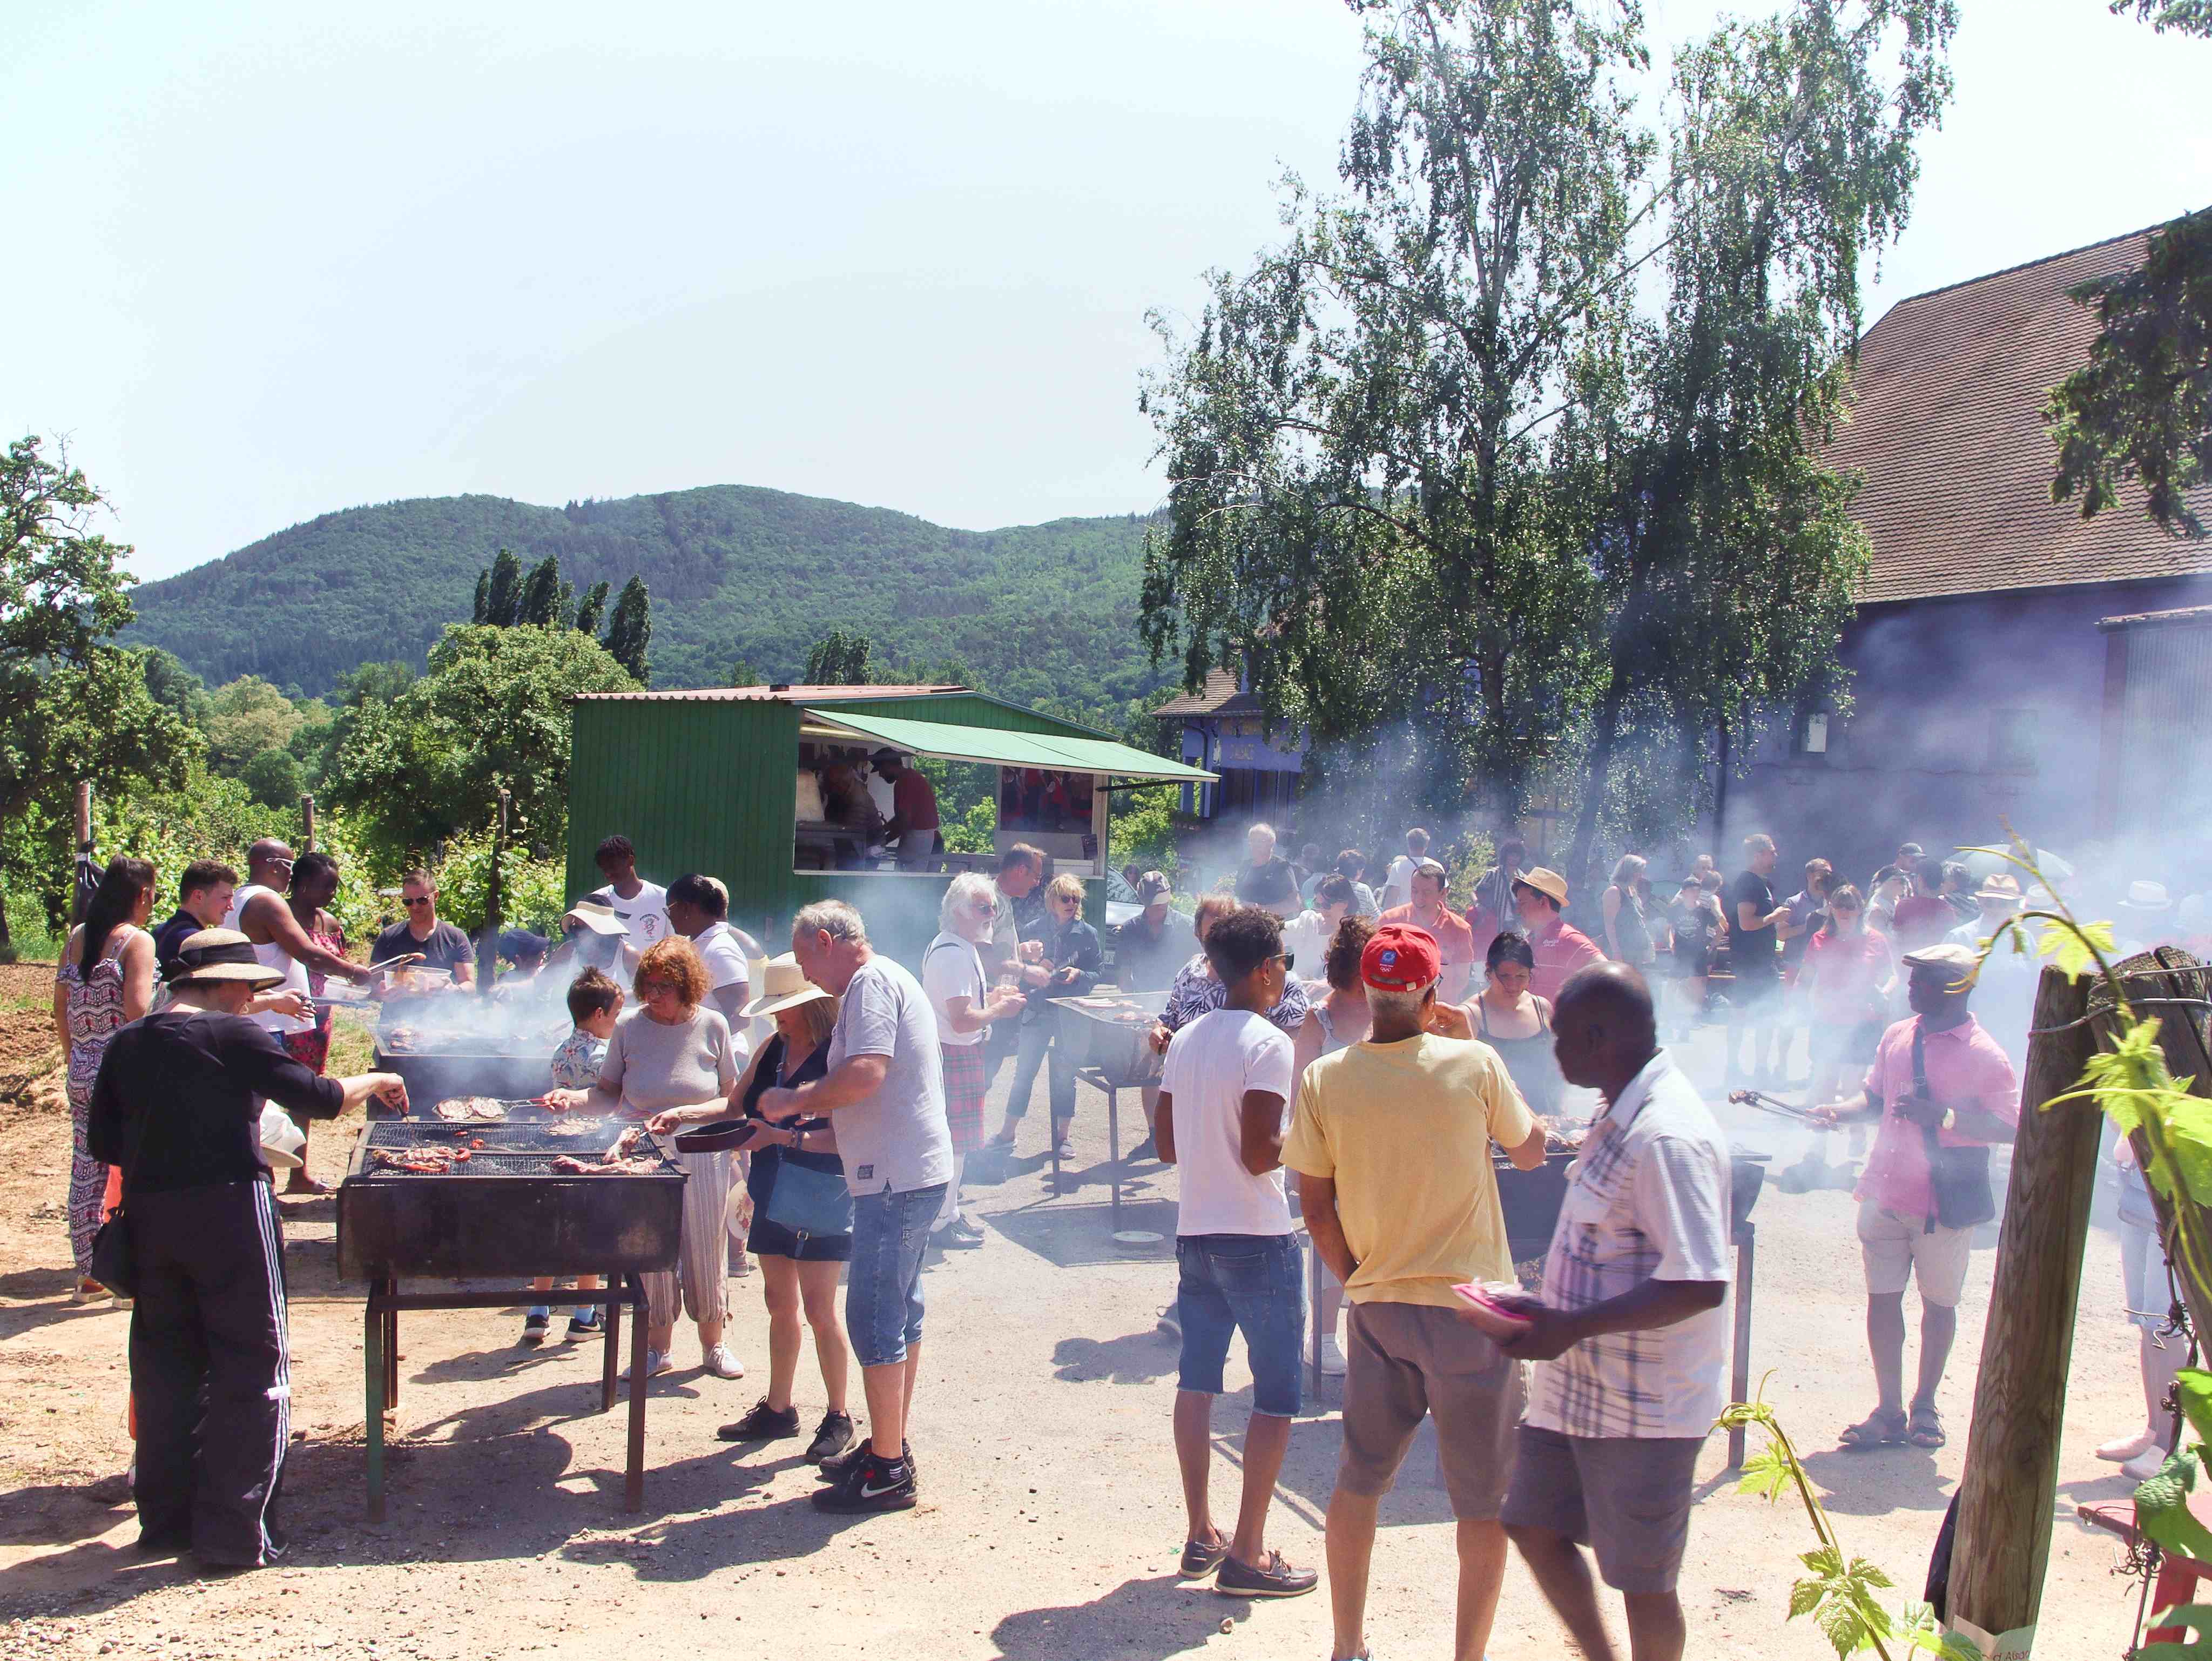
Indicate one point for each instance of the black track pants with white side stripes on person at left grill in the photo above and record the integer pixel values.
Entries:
(209, 1368)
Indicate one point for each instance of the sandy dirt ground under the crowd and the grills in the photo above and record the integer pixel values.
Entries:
(1050, 1518)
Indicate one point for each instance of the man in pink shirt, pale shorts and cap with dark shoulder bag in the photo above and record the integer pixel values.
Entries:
(1937, 1083)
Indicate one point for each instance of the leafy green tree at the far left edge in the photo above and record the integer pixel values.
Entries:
(72, 702)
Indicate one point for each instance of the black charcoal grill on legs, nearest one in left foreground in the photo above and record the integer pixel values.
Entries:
(503, 1213)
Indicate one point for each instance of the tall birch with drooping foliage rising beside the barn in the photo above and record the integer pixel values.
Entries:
(1446, 483)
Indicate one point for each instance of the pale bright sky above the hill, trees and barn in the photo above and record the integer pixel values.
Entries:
(298, 260)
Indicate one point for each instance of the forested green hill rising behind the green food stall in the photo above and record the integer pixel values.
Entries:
(735, 574)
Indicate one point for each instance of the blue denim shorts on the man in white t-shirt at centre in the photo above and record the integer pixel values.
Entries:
(1251, 1284)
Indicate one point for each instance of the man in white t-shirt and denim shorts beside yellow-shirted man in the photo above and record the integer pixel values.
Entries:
(1222, 1118)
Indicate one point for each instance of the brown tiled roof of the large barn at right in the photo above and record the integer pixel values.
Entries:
(1950, 435)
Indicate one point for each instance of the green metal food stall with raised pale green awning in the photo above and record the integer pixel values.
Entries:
(711, 782)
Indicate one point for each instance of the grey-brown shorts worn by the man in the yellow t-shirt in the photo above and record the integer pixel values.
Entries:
(1408, 1361)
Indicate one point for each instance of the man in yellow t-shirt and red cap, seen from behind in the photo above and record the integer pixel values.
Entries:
(1392, 1147)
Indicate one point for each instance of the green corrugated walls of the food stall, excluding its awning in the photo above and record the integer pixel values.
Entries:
(702, 786)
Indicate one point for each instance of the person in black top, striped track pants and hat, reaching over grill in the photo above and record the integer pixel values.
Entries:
(178, 1105)
